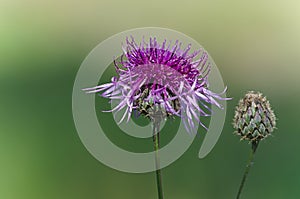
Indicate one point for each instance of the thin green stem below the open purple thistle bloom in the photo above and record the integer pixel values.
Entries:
(157, 165)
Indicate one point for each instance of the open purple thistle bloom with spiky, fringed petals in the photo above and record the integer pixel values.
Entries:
(162, 78)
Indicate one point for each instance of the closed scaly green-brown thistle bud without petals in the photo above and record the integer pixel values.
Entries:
(254, 119)
